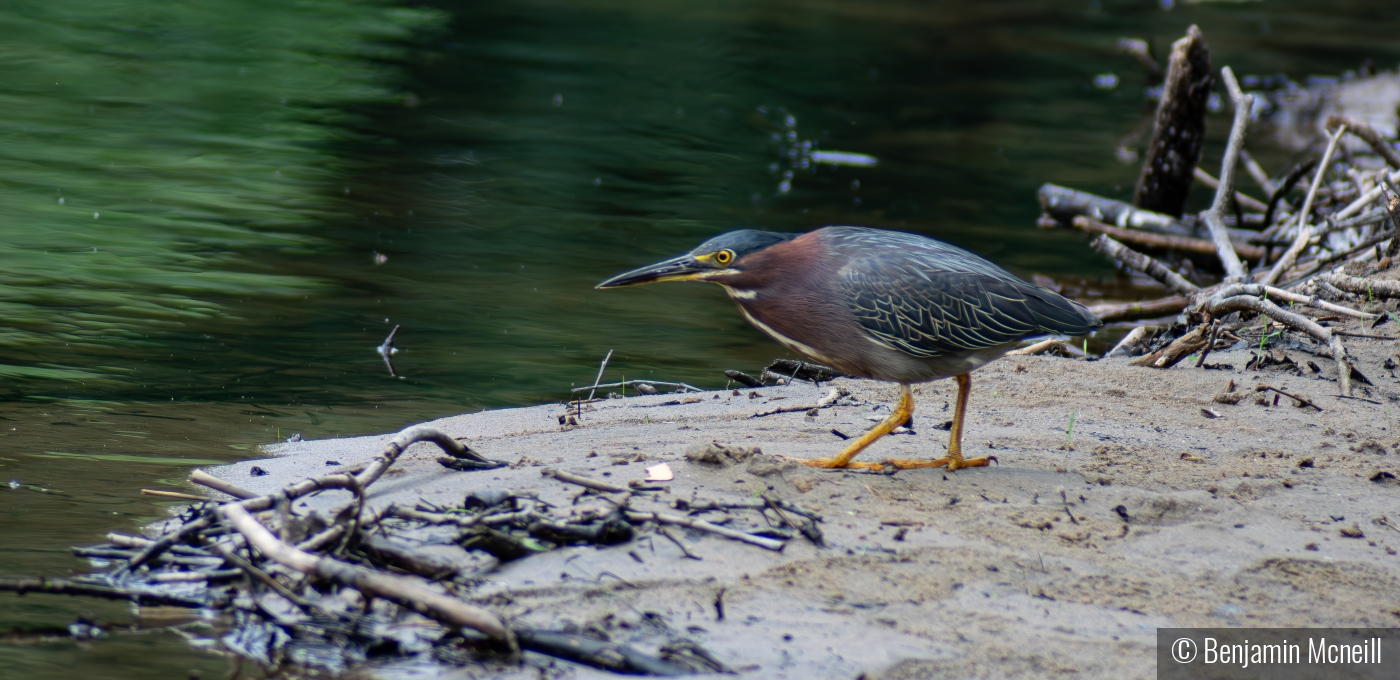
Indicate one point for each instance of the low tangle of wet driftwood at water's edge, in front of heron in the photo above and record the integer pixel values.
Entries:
(307, 591)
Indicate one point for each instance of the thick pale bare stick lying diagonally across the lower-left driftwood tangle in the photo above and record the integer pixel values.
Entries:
(405, 591)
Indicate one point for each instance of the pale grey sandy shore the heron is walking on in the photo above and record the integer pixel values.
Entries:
(1063, 560)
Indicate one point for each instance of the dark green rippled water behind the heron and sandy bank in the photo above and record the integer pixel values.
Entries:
(195, 194)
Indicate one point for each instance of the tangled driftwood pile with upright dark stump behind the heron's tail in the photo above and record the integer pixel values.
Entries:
(1319, 244)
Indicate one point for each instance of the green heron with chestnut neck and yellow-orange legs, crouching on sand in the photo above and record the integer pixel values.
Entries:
(877, 304)
